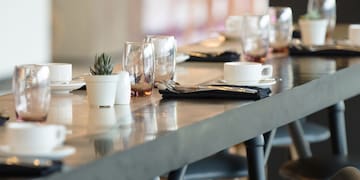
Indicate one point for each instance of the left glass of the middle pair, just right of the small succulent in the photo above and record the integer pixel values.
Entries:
(138, 60)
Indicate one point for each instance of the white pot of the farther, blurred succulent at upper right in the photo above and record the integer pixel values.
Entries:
(313, 32)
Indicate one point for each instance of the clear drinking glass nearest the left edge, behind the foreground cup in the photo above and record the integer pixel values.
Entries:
(31, 92)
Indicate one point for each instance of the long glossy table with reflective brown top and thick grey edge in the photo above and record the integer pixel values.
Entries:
(153, 136)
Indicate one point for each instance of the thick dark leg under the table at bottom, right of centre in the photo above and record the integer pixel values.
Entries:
(255, 158)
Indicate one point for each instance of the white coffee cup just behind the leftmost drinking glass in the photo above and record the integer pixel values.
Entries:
(60, 72)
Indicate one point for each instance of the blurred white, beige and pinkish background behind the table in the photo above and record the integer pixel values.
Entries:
(74, 31)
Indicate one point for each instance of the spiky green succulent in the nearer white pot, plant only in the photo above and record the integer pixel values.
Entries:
(102, 65)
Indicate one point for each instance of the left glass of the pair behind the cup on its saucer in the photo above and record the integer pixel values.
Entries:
(254, 37)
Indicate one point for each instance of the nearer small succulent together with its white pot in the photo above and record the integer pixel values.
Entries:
(101, 84)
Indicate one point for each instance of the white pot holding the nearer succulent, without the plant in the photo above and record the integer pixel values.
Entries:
(101, 89)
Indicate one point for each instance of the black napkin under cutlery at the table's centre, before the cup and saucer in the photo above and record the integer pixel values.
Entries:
(218, 94)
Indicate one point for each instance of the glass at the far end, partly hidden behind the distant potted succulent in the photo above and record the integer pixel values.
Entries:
(326, 9)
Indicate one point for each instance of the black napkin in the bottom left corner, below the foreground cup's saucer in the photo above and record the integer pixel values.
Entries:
(28, 171)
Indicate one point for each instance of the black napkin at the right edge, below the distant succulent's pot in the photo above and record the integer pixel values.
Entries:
(295, 51)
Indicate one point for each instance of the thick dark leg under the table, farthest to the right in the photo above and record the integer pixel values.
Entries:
(338, 129)
